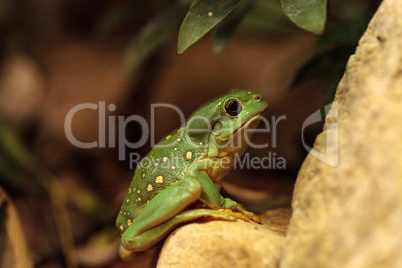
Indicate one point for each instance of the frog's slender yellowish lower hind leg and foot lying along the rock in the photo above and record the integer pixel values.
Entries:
(149, 238)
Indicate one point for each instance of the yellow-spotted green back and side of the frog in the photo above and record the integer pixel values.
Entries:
(164, 165)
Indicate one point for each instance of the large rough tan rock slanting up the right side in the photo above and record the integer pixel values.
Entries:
(350, 215)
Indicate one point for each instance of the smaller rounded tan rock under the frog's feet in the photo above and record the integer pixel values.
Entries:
(221, 244)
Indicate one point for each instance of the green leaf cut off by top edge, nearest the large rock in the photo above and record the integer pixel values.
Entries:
(309, 15)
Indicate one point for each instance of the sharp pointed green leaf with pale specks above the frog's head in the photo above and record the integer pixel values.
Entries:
(201, 18)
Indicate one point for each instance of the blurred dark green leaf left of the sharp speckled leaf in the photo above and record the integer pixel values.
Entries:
(153, 36)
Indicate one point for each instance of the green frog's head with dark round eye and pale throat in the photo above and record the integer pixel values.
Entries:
(226, 122)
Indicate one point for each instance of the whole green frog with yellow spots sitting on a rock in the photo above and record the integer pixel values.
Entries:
(179, 180)
